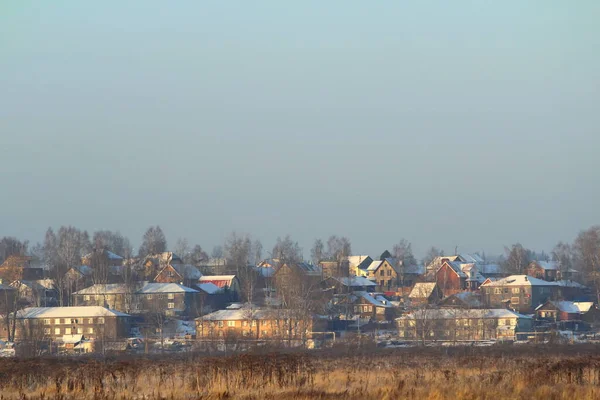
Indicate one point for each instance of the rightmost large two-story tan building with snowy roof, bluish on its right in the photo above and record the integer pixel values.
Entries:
(521, 293)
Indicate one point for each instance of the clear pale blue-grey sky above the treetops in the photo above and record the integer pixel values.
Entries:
(472, 123)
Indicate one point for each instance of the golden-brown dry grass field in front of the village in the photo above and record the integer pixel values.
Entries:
(503, 372)
